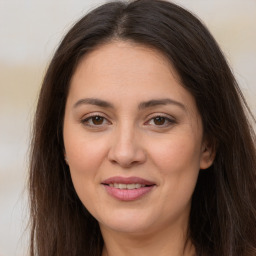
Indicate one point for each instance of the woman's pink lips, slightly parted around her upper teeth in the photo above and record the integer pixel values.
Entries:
(128, 194)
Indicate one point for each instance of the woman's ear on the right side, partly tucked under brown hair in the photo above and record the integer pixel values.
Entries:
(208, 153)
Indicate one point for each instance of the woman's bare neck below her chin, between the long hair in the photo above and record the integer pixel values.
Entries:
(167, 241)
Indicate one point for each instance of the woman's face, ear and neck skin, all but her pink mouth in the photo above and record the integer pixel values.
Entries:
(130, 141)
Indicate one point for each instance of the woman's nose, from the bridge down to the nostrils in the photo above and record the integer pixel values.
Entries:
(126, 148)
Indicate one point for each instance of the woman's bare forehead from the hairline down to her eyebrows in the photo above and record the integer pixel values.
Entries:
(125, 71)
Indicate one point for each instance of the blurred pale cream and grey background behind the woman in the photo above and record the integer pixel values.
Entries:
(30, 31)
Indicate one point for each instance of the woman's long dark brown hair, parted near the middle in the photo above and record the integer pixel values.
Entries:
(223, 213)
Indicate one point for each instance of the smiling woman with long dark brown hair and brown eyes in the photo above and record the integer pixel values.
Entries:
(141, 142)
